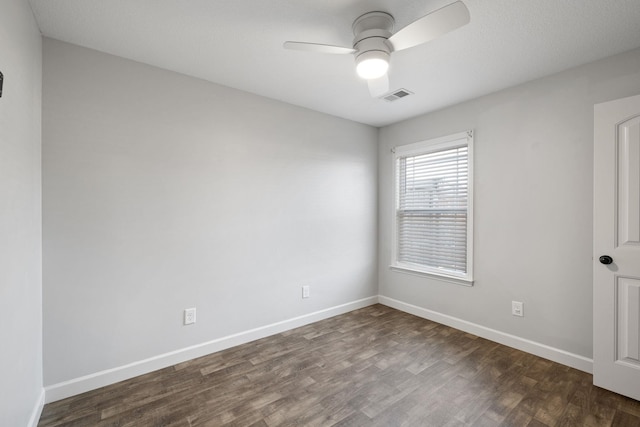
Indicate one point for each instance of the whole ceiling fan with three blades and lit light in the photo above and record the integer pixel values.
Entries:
(374, 41)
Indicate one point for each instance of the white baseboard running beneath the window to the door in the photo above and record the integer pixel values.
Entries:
(560, 356)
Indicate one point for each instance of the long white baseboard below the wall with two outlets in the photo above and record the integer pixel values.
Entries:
(110, 376)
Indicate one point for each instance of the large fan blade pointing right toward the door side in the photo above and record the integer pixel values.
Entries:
(430, 26)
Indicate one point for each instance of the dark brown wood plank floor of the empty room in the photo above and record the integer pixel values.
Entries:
(372, 367)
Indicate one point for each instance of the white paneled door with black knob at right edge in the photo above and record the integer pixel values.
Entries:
(616, 234)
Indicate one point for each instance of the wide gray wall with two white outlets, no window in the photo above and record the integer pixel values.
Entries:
(163, 192)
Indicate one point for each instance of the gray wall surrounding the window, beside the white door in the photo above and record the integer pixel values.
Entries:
(533, 204)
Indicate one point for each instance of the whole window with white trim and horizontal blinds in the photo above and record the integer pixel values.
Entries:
(433, 208)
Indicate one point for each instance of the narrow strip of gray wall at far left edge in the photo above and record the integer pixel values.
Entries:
(20, 215)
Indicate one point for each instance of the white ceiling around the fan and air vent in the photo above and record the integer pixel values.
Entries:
(238, 43)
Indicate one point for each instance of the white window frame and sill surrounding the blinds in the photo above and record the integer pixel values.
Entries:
(427, 147)
